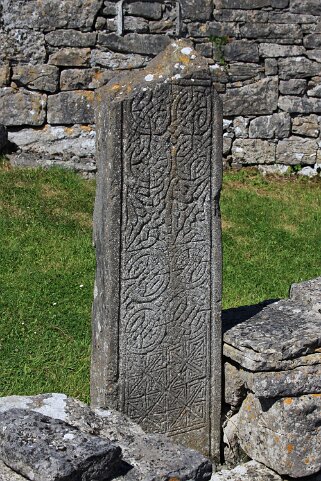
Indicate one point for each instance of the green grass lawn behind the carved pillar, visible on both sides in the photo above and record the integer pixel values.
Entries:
(271, 233)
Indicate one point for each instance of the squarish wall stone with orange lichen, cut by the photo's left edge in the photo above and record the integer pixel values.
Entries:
(21, 107)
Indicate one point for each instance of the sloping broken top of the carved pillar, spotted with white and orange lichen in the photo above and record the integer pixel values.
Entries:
(179, 60)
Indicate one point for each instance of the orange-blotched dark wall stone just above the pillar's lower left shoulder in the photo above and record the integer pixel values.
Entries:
(78, 79)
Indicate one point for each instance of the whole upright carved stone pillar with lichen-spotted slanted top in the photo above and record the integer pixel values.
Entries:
(156, 323)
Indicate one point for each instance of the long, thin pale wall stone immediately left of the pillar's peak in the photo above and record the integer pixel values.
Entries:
(118, 61)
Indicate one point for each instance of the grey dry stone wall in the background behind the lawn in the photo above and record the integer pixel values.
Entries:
(266, 55)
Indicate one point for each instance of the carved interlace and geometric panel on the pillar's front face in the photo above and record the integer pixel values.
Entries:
(166, 258)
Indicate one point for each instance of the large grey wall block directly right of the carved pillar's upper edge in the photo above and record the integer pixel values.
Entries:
(258, 98)
